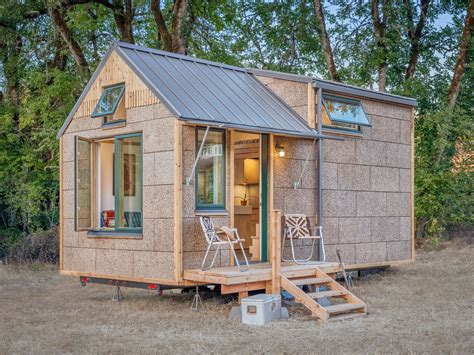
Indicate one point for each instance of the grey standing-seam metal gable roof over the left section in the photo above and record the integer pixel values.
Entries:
(209, 93)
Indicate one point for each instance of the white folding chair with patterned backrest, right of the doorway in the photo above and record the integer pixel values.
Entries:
(297, 227)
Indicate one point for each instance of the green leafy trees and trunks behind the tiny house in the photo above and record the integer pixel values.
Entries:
(48, 48)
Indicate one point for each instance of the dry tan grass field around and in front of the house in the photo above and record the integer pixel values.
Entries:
(425, 307)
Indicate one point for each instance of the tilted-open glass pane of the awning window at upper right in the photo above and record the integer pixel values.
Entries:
(345, 111)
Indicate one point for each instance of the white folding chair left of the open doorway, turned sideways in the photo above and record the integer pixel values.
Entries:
(212, 237)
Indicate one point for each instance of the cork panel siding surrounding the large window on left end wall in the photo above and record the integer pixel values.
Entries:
(151, 256)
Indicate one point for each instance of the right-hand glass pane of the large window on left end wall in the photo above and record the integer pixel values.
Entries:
(128, 182)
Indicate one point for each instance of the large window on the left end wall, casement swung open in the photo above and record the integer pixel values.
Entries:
(127, 184)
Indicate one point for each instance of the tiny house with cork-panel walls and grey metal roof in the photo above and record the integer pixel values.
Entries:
(157, 140)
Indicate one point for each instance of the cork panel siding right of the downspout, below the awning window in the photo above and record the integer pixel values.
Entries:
(366, 192)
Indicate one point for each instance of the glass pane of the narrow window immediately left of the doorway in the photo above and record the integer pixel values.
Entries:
(210, 169)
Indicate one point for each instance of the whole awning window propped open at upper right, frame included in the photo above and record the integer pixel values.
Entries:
(344, 114)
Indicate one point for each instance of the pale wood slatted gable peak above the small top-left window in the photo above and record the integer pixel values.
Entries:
(117, 71)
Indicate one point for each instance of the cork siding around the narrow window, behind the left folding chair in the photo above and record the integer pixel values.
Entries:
(194, 242)
